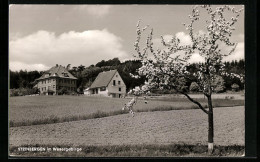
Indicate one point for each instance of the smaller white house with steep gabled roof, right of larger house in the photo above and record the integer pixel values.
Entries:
(107, 83)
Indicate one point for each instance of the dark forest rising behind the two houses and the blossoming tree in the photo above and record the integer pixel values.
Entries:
(25, 80)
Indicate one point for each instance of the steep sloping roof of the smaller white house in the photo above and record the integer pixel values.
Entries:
(103, 79)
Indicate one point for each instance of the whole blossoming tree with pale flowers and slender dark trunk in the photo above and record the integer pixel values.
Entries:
(166, 68)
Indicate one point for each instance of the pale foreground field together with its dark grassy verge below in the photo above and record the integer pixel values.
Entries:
(147, 134)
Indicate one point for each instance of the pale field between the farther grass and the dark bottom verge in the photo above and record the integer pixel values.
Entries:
(189, 126)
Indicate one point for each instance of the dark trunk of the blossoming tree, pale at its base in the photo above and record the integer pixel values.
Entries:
(211, 127)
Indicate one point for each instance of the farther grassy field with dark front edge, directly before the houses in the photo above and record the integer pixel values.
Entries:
(34, 110)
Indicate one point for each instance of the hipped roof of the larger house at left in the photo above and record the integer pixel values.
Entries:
(57, 71)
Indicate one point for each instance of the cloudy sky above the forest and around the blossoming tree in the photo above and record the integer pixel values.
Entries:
(41, 36)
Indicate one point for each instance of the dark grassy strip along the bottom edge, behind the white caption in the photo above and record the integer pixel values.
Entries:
(171, 150)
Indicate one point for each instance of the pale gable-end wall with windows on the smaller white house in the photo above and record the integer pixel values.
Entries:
(115, 88)
